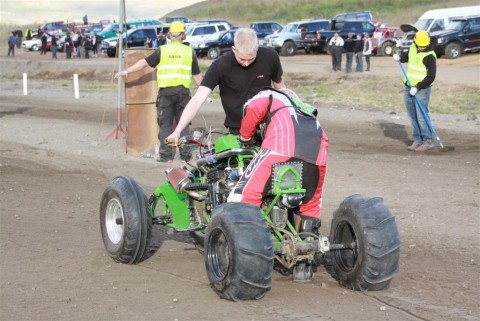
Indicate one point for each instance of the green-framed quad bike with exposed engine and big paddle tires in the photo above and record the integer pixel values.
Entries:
(242, 243)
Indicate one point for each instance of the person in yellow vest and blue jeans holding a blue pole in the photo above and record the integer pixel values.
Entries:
(421, 72)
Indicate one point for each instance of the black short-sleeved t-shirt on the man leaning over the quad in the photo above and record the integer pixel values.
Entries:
(238, 84)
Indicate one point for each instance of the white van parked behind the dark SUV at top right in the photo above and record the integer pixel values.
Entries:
(434, 20)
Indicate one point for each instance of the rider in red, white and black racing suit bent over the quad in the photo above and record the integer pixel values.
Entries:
(290, 135)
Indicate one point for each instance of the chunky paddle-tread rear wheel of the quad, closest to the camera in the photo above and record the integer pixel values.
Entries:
(239, 252)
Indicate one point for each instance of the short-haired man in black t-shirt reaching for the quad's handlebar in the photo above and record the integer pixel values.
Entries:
(240, 74)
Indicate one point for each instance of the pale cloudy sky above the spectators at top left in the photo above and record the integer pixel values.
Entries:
(39, 11)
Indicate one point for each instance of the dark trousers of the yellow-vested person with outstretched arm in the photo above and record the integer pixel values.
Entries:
(170, 108)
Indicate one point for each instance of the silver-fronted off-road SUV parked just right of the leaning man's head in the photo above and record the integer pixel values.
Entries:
(288, 41)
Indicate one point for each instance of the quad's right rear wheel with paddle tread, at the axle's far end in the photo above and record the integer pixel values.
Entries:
(370, 226)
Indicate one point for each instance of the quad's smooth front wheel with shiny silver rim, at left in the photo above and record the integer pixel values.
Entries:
(125, 220)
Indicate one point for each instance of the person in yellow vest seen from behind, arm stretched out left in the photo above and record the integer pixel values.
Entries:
(176, 65)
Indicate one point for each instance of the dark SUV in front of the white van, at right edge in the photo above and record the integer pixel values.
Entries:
(461, 35)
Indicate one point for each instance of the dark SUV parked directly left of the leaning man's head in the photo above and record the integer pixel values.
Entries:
(216, 45)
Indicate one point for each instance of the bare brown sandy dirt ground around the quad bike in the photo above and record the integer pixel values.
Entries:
(55, 163)
